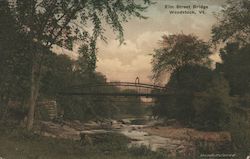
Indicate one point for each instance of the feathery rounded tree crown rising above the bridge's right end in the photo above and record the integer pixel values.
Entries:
(178, 50)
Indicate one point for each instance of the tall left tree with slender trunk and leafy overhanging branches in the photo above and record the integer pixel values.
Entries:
(49, 23)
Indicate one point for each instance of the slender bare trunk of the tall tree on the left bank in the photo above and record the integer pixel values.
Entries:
(34, 89)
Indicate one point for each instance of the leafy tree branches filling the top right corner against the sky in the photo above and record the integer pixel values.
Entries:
(234, 24)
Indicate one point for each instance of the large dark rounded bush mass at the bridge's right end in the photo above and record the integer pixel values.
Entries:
(197, 98)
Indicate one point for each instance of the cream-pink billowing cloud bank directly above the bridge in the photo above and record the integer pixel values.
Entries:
(126, 62)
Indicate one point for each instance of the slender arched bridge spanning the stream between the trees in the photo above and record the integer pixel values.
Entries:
(116, 89)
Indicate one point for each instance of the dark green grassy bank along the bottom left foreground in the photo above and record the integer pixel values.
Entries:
(17, 143)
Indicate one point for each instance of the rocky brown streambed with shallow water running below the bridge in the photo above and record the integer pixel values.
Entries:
(172, 140)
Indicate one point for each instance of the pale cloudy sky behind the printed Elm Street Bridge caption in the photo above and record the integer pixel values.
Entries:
(132, 59)
